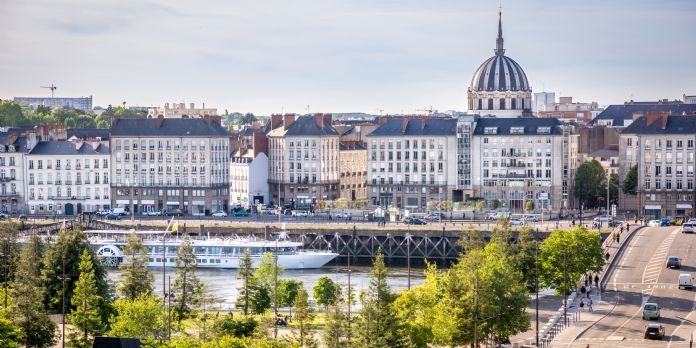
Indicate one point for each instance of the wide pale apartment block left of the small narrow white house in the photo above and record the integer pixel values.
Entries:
(172, 165)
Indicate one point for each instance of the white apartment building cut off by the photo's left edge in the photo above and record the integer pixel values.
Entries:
(13, 146)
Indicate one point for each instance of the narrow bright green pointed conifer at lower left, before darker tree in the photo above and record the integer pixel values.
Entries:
(85, 317)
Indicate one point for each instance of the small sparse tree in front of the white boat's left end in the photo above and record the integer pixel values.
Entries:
(136, 280)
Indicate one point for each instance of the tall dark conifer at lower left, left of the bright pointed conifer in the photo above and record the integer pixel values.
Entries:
(28, 314)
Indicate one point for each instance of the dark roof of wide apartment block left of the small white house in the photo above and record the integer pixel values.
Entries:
(171, 127)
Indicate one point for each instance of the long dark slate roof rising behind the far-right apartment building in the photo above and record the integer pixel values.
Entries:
(619, 113)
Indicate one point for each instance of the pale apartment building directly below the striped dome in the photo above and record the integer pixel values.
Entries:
(521, 159)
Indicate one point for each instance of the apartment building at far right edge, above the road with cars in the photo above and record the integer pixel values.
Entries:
(663, 147)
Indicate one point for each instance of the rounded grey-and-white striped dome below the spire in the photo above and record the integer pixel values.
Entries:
(500, 73)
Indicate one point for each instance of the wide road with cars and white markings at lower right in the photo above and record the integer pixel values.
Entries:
(641, 276)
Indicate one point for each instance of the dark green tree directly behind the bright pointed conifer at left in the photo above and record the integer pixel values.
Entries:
(67, 250)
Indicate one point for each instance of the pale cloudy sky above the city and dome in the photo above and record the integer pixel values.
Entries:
(372, 56)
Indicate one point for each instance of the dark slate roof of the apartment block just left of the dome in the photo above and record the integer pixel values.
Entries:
(416, 127)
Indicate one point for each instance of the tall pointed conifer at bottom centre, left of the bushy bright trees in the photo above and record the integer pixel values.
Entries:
(377, 325)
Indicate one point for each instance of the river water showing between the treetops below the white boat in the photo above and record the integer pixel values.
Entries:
(223, 283)
